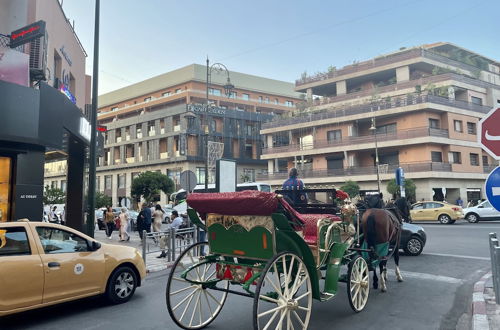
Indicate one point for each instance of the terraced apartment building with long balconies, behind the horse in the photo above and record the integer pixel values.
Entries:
(416, 108)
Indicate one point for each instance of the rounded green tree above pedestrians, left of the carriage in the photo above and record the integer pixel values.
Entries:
(149, 184)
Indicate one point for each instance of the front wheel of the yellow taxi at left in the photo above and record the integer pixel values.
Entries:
(121, 285)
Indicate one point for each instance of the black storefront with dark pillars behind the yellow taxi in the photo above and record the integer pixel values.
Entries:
(34, 121)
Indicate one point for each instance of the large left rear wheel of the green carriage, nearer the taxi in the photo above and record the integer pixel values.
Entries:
(193, 306)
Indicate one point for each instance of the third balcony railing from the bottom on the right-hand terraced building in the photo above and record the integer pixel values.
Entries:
(372, 108)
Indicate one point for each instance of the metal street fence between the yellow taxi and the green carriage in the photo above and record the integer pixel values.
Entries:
(171, 241)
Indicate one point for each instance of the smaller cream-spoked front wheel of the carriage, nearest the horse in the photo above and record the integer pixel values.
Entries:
(358, 284)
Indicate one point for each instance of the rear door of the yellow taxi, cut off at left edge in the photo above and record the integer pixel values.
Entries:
(21, 270)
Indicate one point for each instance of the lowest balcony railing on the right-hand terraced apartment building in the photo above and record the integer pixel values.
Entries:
(356, 170)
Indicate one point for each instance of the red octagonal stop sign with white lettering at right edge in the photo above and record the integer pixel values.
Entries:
(489, 133)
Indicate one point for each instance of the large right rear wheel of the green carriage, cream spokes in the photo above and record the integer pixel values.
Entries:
(283, 297)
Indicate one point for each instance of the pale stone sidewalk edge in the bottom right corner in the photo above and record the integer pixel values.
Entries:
(485, 311)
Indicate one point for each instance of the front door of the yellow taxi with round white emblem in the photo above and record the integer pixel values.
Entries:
(71, 268)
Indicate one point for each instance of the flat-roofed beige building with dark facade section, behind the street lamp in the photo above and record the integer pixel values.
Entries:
(162, 124)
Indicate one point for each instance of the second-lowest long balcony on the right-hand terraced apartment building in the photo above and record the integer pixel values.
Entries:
(354, 140)
